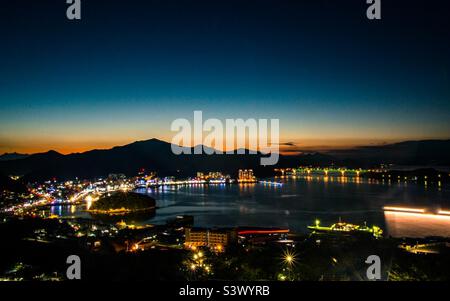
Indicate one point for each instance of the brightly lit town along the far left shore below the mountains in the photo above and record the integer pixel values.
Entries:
(55, 193)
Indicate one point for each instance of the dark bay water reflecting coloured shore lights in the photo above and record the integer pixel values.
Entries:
(298, 203)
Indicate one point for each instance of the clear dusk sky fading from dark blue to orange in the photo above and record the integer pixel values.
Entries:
(128, 68)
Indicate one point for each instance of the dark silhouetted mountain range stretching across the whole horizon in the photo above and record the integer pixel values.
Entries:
(156, 155)
